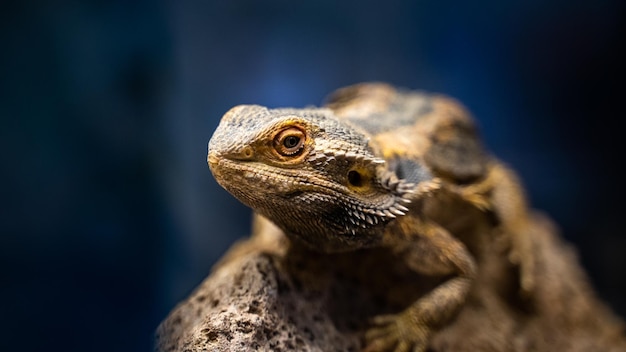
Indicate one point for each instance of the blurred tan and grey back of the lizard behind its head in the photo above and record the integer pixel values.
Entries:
(415, 132)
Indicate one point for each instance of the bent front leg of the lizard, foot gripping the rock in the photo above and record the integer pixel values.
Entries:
(435, 251)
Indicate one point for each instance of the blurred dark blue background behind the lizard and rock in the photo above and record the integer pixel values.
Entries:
(109, 214)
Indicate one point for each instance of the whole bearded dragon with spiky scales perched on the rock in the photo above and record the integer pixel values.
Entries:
(379, 166)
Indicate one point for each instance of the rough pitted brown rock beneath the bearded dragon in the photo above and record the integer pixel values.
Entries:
(269, 295)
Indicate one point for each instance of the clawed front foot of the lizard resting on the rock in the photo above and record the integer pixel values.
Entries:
(397, 333)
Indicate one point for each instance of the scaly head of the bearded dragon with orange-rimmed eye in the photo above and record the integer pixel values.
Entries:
(314, 176)
